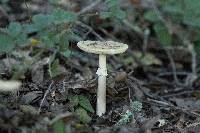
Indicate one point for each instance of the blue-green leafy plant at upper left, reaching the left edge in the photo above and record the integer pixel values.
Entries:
(53, 31)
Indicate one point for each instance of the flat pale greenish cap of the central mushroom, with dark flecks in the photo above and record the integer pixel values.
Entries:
(102, 47)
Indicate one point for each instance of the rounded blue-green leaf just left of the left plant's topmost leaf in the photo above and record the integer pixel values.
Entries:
(42, 21)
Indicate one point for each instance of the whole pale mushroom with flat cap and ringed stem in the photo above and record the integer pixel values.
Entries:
(102, 48)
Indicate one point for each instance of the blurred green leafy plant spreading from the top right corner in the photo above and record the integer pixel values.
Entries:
(183, 13)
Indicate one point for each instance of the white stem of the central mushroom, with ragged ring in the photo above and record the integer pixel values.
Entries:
(101, 92)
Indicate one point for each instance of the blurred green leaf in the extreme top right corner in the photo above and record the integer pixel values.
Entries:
(192, 13)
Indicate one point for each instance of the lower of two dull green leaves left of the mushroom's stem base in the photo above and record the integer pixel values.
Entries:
(83, 116)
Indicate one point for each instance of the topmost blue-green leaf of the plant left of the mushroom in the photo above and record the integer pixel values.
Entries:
(61, 16)
